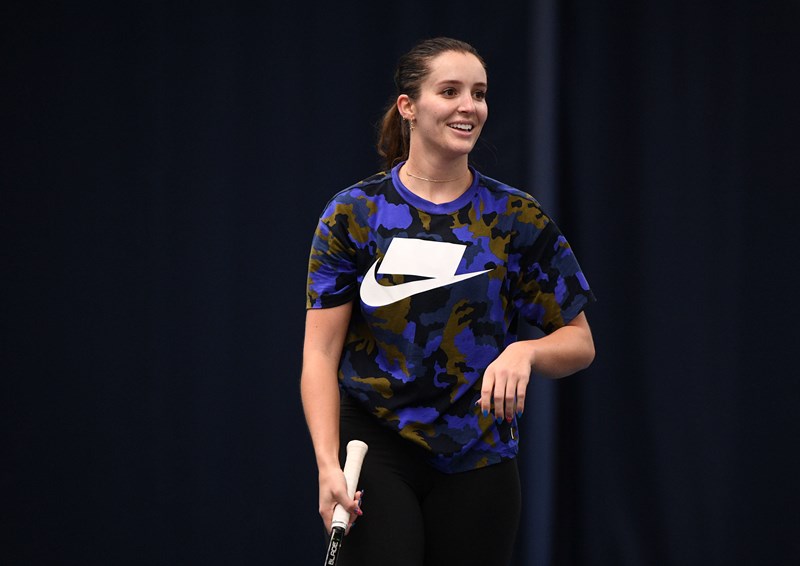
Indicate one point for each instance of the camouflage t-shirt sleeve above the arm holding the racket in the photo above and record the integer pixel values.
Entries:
(332, 271)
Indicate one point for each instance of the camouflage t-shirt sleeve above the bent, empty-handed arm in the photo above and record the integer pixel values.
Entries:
(551, 289)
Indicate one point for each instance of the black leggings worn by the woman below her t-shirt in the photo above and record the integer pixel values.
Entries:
(415, 515)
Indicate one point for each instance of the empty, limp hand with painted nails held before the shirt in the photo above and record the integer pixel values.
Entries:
(505, 382)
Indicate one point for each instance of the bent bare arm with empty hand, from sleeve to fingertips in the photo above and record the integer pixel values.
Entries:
(561, 353)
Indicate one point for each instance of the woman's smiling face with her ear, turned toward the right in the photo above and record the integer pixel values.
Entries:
(451, 108)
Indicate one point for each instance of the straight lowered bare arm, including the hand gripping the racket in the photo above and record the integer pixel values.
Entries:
(324, 339)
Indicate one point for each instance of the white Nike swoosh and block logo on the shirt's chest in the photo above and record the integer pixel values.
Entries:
(409, 256)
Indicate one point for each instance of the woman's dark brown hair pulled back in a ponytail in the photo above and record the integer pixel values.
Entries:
(412, 69)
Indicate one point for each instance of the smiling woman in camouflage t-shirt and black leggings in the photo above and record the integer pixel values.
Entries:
(417, 278)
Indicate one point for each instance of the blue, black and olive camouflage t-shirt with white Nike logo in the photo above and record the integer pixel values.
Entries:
(438, 291)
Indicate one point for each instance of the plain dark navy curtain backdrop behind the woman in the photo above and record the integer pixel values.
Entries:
(162, 168)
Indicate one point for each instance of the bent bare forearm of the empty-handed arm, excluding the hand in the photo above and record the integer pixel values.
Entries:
(561, 353)
